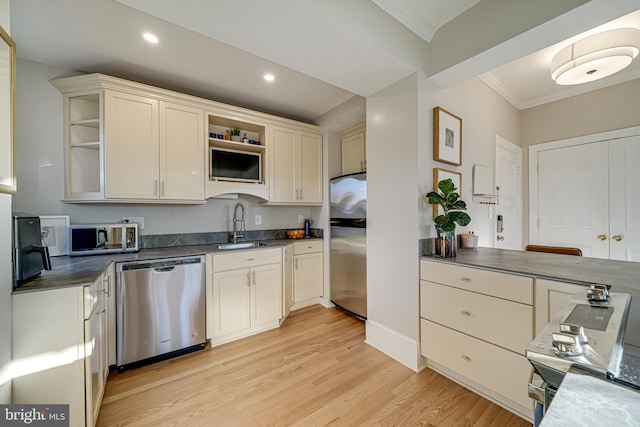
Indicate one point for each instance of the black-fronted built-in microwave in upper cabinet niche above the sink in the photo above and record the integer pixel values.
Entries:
(234, 165)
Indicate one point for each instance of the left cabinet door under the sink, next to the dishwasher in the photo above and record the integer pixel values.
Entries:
(232, 299)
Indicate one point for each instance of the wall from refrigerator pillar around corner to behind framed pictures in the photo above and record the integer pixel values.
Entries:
(400, 172)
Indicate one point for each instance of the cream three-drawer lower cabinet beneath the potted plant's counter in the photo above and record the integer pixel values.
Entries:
(475, 325)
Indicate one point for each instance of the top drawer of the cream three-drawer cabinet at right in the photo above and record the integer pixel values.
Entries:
(501, 285)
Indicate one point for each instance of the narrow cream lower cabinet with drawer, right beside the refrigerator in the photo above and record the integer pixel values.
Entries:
(308, 270)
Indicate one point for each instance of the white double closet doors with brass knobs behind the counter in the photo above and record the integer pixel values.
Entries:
(589, 197)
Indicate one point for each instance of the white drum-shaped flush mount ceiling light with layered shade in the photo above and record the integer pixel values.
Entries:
(596, 56)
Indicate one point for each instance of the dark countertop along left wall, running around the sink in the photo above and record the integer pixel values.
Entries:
(83, 270)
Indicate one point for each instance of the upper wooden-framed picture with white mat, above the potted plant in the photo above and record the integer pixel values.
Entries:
(447, 137)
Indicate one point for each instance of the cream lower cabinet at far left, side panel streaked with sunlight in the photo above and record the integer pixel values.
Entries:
(59, 341)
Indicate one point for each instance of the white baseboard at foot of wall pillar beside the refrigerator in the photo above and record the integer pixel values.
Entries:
(397, 346)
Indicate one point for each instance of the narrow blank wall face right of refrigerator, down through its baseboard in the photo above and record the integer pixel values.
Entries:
(392, 244)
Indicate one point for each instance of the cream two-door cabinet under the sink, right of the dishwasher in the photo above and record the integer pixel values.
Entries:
(245, 294)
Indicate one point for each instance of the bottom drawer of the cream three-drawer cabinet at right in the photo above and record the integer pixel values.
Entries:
(499, 370)
